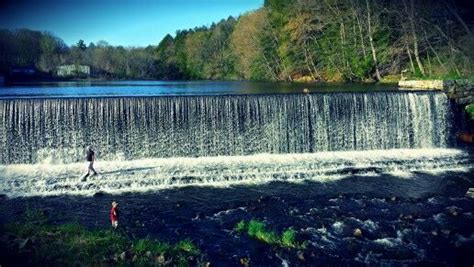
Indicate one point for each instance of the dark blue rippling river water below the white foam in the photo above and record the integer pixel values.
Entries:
(403, 221)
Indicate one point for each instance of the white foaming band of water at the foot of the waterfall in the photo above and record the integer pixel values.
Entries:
(222, 171)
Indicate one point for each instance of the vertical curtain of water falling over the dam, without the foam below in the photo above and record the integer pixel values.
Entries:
(128, 128)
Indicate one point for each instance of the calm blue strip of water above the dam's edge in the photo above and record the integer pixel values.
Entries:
(167, 88)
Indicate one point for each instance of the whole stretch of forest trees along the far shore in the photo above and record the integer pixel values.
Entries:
(285, 40)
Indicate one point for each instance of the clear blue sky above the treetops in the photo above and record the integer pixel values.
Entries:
(119, 22)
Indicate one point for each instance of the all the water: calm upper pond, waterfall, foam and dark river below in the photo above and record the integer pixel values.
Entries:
(191, 159)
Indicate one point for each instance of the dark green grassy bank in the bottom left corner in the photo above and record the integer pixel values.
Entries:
(35, 242)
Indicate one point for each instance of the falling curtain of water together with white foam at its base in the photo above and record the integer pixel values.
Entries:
(147, 143)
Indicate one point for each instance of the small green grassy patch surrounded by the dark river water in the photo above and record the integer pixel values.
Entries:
(259, 230)
